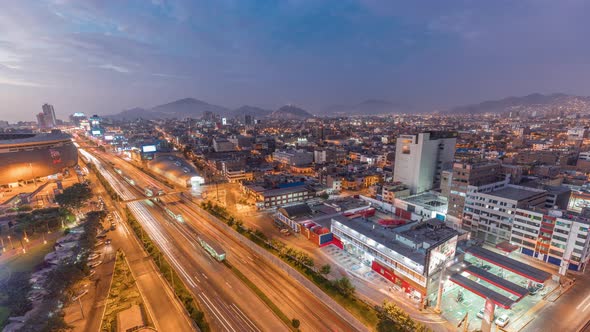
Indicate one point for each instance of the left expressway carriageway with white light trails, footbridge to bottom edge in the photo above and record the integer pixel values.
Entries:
(216, 286)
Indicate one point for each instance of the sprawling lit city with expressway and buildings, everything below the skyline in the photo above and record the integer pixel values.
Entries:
(279, 220)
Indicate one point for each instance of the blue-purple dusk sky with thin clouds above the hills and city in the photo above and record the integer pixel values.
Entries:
(103, 56)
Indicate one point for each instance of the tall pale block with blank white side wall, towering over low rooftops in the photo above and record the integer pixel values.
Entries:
(420, 159)
